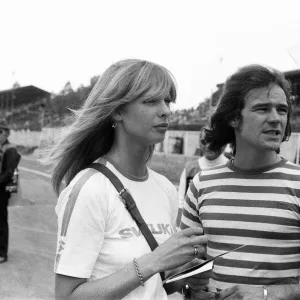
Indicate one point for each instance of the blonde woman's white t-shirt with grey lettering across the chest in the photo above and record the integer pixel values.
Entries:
(96, 234)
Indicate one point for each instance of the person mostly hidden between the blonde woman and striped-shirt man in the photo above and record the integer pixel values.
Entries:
(208, 160)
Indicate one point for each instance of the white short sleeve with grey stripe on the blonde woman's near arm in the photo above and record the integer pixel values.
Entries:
(81, 228)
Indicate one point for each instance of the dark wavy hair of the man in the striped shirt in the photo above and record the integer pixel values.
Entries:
(231, 102)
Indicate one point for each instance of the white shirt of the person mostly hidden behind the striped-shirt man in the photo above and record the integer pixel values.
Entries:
(204, 164)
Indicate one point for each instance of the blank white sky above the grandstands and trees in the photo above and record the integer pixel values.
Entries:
(47, 43)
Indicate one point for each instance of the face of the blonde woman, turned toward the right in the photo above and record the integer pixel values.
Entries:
(145, 121)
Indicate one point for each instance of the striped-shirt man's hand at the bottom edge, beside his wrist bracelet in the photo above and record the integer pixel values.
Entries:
(242, 292)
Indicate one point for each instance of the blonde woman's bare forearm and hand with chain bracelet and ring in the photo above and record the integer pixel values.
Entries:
(176, 251)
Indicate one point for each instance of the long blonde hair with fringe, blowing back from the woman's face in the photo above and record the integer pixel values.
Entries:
(91, 134)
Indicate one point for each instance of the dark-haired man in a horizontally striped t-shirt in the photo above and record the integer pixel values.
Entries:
(254, 199)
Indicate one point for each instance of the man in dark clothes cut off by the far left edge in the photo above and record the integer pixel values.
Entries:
(9, 159)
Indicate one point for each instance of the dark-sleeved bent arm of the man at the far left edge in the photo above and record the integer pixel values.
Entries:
(11, 159)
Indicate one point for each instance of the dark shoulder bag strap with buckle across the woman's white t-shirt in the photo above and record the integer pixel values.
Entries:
(129, 204)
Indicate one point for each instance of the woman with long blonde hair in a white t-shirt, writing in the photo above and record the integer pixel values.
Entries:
(101, 254)
